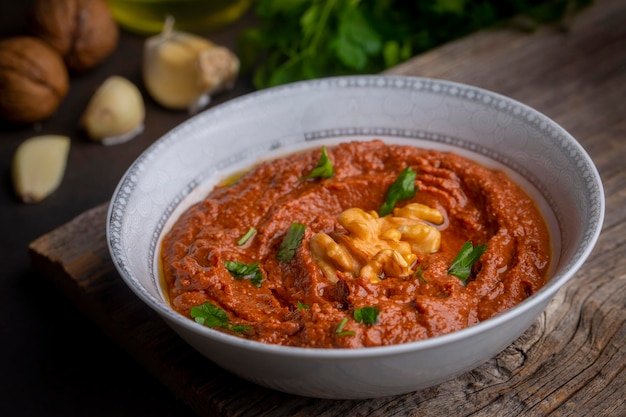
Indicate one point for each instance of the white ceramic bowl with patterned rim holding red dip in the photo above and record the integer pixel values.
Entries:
(181, 167)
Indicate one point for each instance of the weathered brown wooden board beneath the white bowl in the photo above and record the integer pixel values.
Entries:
(569, 363)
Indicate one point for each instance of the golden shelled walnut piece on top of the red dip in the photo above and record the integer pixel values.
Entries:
(377, 247)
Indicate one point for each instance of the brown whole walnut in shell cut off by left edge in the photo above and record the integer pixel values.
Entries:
(33, 79)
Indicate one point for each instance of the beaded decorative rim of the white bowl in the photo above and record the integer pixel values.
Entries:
(544, 295)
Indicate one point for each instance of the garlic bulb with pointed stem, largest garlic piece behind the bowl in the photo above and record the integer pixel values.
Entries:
(182, 70)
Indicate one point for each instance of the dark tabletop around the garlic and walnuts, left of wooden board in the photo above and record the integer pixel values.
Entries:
(54, 361)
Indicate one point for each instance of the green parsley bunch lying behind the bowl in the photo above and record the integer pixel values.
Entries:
(304, 39)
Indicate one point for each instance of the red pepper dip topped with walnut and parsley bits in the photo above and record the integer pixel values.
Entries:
(353, 276)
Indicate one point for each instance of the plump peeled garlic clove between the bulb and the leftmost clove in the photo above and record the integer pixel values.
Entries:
(115, 113)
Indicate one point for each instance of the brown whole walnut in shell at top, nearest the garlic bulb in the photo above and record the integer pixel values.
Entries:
(83, 31)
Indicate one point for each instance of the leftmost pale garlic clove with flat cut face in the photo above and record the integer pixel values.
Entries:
(39, 165)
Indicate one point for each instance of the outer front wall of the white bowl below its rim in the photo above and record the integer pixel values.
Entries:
(367, 373)
